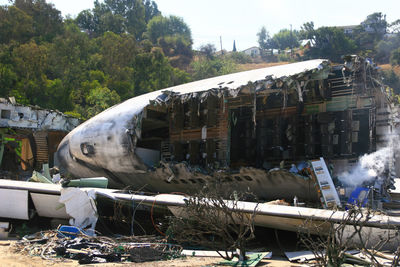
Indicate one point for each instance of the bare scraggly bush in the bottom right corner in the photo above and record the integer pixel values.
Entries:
(332, 240)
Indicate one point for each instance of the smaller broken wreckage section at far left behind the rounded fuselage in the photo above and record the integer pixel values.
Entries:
(29, 137)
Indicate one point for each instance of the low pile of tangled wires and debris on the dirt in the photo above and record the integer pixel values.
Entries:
(58, 245)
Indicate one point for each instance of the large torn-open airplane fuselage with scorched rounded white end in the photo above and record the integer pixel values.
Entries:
(243, 128)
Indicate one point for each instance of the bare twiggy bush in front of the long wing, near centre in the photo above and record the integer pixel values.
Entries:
(209, 220)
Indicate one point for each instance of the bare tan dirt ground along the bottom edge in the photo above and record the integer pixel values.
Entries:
(10, 258)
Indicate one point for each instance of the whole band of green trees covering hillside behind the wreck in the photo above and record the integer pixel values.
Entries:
(124, 48)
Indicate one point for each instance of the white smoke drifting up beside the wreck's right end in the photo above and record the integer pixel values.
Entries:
(368, 168)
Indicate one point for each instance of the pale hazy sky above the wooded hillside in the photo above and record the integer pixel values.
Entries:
(240, 20)
